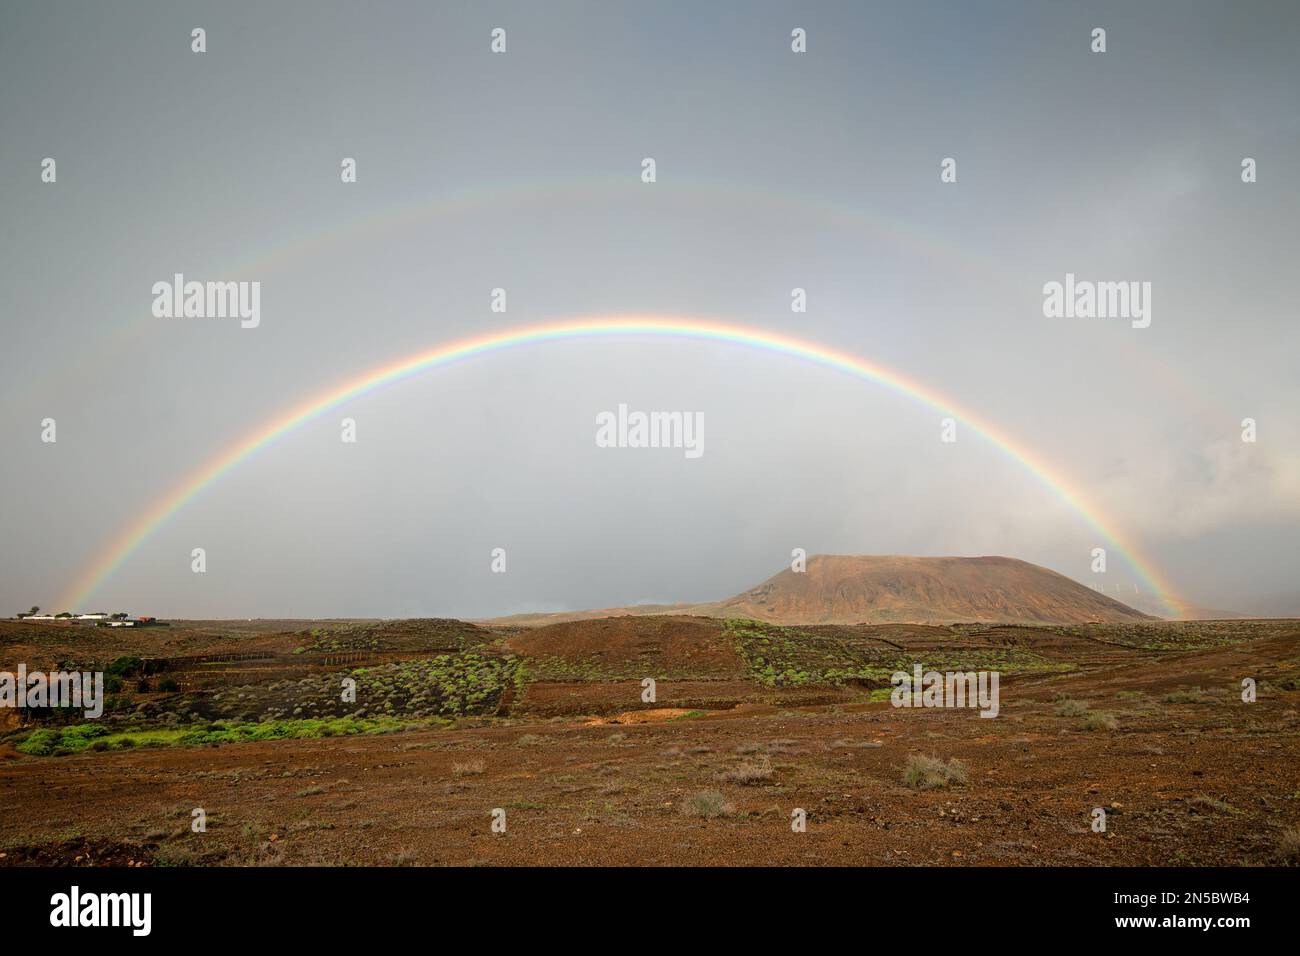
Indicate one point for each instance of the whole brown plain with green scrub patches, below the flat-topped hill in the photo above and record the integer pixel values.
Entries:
(500, 743)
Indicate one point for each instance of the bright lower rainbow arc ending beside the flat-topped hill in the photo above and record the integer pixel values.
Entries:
(713, 331)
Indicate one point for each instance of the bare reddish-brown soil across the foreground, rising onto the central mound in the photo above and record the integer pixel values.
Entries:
(1145, 721)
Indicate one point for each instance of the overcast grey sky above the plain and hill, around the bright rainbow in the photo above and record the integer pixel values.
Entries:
(523, 171)
